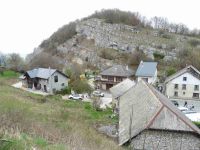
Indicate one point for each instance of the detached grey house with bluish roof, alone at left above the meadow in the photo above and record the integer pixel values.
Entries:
(44, 79)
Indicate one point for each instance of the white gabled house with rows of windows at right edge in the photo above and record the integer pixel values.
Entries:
(184, 84)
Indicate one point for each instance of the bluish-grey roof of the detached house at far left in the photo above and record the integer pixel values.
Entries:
(43, 73)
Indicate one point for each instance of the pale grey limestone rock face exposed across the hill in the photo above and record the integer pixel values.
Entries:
(94, 34)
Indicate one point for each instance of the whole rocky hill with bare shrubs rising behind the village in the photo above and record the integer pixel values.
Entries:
(113, 36)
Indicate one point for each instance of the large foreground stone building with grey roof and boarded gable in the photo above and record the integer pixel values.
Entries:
(149, 120)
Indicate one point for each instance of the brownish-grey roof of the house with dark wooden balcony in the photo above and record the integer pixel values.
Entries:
(118, 70)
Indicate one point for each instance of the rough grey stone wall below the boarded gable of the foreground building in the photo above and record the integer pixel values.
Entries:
(165, 140)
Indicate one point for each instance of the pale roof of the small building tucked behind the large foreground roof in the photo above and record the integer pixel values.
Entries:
(121, 87)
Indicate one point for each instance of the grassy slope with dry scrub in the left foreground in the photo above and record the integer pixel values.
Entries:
(27, 120)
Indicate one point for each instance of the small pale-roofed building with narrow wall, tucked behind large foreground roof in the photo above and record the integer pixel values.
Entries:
(118, 90)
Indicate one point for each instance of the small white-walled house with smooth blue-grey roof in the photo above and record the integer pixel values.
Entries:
(147, 71)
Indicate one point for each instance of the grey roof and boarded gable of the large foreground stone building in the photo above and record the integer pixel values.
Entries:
(143, 107)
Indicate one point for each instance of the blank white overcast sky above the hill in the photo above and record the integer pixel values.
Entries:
(24, 24)
